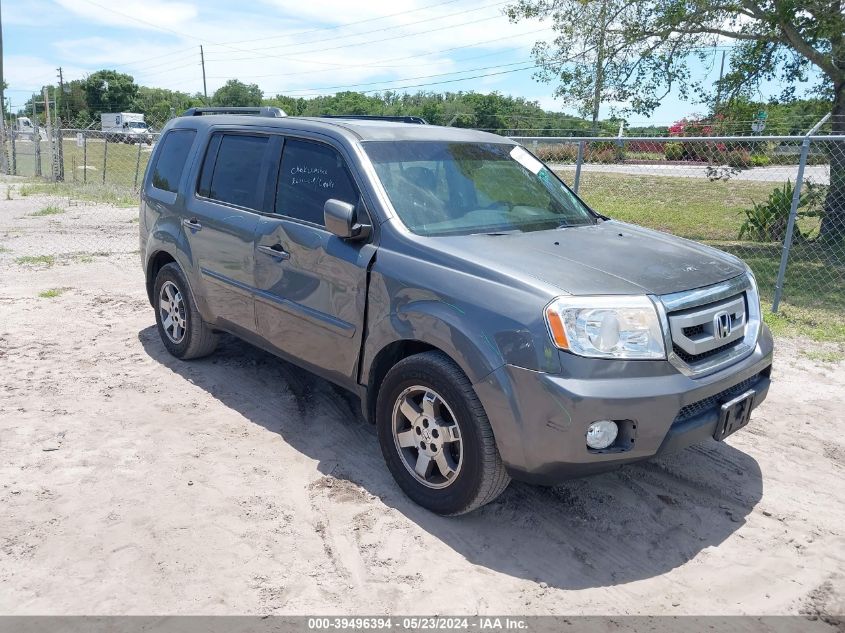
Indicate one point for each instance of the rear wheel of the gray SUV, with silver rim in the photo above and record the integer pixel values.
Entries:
(194, 339)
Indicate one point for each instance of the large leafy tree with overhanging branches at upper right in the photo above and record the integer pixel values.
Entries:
(648, 46)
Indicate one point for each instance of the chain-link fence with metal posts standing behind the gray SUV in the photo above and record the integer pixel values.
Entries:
(777, 202)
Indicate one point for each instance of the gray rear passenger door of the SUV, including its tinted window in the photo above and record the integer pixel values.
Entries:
(220, 223)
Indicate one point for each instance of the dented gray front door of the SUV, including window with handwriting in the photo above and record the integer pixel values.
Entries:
(311, 285)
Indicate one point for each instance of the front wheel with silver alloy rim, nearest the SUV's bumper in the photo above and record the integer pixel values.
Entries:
(424, 401)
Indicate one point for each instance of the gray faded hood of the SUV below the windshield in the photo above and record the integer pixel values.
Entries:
(608, 258)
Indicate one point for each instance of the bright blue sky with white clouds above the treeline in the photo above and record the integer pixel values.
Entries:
(289, 46)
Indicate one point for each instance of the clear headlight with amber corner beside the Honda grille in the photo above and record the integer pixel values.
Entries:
(606, 327)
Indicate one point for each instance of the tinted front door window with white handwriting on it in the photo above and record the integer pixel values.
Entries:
(310, 174)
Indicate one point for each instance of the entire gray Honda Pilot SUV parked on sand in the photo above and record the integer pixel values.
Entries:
(492, 324)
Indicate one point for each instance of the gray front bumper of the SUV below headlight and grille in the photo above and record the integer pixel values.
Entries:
(540, 420)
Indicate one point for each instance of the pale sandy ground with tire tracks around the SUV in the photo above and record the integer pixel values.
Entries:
(133, 483)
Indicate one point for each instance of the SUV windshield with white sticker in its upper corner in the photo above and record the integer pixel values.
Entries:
(441, 188)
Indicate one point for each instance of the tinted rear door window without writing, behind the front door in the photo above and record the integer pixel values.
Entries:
(234, 175)
